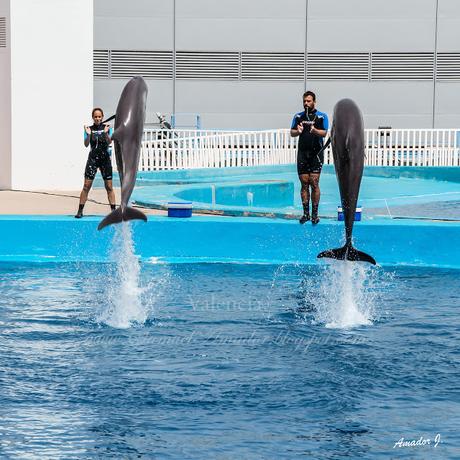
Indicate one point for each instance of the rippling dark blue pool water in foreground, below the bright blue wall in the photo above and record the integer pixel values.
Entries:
(227, 361)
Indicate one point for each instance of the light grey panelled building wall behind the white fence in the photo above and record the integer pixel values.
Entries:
(228, 96)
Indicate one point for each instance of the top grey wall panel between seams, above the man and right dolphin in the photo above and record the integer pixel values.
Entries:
(377, 25)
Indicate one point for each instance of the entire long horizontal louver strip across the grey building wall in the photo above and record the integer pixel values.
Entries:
(236, 65)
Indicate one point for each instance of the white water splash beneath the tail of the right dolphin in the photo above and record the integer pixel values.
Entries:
(347, 296)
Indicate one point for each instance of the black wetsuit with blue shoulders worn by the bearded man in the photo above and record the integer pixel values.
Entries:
(309, 160)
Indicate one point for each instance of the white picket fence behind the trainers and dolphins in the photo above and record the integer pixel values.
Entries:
(188, 149)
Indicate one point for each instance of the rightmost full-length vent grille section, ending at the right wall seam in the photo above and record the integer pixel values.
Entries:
(402, 66)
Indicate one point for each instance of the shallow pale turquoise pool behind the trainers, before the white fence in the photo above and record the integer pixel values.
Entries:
(392, 191)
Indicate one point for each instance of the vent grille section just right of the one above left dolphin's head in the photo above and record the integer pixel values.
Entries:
(207, 65)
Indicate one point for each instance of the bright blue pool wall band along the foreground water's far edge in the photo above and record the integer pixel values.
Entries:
(222, 239)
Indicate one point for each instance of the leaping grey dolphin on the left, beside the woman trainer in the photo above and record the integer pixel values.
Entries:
(127, 137)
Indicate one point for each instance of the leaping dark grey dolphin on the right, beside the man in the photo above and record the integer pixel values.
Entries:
(347, 136)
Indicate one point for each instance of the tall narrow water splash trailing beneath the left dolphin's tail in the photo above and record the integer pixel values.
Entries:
(123, 307)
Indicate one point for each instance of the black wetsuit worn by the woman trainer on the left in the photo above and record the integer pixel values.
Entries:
(99, 155)
